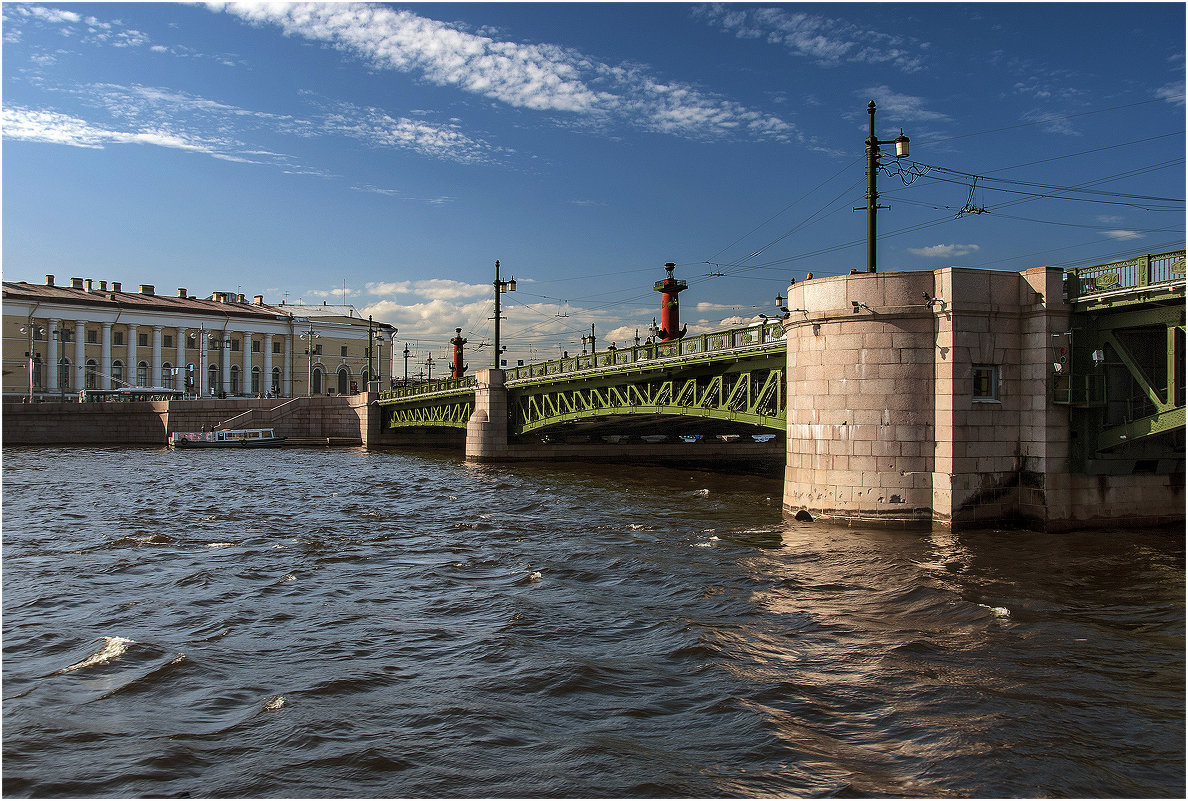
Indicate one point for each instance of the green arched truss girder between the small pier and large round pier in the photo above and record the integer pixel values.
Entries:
(750, 392)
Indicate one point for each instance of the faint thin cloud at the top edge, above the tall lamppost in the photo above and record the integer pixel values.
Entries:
(823, 40)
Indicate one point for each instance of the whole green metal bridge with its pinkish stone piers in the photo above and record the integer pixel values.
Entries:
(1053, 398)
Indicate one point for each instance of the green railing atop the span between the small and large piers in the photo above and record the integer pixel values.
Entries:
(731, 339)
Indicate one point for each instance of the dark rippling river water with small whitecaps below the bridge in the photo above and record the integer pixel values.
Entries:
(340, 623)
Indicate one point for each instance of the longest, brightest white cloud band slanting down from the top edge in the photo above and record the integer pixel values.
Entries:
(535, 77)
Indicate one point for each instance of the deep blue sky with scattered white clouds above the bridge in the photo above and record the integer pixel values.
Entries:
(390, 154)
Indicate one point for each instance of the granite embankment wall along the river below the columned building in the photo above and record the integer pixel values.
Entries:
(342, 420)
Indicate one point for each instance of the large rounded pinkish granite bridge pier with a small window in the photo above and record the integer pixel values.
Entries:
(922, 399)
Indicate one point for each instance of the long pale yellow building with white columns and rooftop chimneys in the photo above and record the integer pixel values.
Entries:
(94, 336)
